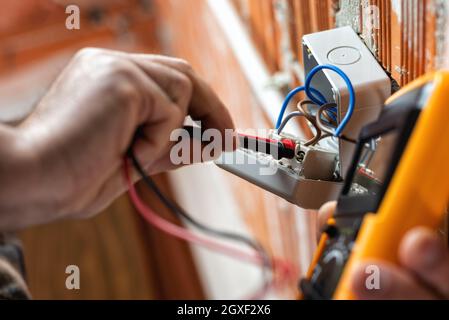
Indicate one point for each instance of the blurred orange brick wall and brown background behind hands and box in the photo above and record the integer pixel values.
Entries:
(249, 51)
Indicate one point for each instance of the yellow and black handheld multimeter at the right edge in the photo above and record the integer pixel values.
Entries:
(399, 179)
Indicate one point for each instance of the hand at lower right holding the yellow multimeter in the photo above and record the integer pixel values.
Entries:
(423, 274)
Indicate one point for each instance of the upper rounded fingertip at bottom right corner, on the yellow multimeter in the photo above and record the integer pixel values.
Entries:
(423, 252)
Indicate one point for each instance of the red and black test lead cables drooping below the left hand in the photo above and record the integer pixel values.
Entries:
(260, 258)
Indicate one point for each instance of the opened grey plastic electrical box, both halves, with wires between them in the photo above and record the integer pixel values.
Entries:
(314, 175)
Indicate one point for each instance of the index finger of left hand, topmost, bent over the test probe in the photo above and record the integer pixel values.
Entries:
(205, 106)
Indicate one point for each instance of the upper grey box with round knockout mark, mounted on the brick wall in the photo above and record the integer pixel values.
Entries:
(343, 48)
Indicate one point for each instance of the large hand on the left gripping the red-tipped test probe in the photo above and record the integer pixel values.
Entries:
(71, 148)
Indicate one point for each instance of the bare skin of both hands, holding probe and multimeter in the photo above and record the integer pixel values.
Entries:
(66, 158)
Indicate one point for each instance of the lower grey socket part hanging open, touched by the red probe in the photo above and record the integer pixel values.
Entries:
(308, 180)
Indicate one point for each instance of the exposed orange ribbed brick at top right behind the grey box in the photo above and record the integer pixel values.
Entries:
(407, 36)
